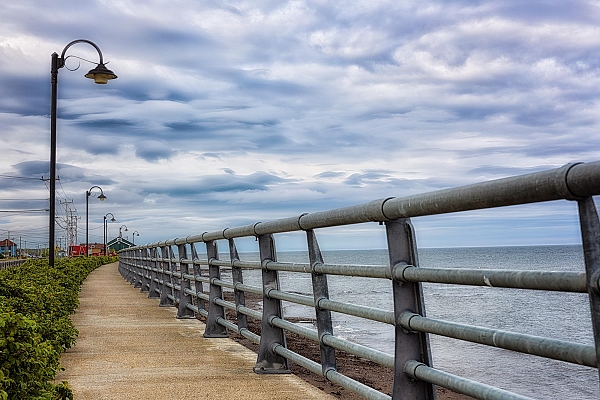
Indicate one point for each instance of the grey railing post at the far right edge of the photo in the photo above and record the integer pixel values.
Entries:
(590, 234)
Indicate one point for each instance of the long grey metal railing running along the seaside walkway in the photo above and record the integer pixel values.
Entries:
(194, 284)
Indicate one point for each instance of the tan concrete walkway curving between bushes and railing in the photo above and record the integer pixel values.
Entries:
(130, 348)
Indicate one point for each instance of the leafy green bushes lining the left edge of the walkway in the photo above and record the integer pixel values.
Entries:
(35, 328)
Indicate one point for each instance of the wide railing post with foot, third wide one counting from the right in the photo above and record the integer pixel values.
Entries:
(213, 329)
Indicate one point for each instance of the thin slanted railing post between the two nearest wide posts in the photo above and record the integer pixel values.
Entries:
(320, 292)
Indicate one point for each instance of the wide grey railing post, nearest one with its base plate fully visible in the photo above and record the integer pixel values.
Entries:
(268, 362)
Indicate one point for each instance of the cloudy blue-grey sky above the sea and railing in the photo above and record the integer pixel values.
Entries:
(226, 113)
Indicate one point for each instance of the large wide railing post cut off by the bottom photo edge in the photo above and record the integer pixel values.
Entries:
(402, 249)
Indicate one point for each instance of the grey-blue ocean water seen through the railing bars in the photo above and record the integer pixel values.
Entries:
(563, 316)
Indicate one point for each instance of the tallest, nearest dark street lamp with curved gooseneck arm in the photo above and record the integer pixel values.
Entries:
(100, 75)
